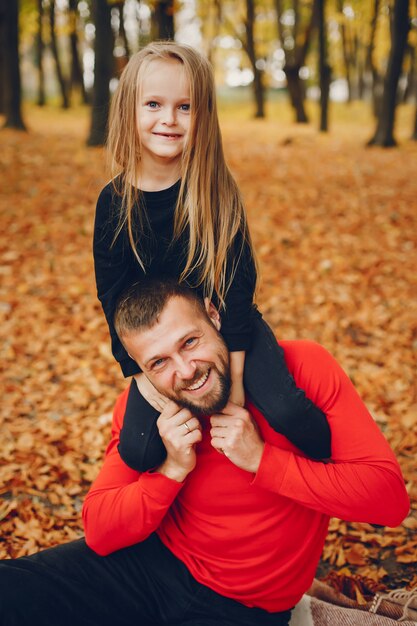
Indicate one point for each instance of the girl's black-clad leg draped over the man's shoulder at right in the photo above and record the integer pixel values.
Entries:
(273, 391)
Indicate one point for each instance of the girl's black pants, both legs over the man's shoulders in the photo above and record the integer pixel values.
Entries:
(272, 390)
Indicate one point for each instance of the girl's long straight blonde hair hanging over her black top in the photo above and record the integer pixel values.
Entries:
(209, 202)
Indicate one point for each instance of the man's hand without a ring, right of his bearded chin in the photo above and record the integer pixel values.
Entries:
(235, 434)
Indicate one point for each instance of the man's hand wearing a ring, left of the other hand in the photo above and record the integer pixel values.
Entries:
(180, 431)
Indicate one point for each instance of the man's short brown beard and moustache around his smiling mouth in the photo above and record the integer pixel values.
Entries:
(216, 400)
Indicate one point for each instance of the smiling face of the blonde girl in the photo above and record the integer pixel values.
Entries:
(163, 112)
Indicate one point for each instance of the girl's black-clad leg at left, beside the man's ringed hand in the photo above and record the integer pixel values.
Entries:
(140, 445)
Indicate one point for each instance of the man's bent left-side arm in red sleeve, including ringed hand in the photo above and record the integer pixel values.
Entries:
(123, 506)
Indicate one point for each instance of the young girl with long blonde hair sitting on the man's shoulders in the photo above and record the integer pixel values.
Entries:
(173, 208)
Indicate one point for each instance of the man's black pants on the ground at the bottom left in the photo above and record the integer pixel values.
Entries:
(143, 585)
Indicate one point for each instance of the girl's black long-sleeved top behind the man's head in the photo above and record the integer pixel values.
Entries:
(116, 266)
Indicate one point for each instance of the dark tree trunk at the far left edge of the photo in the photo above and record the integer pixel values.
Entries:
(9, 23)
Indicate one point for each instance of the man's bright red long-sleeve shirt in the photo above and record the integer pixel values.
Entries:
(256, 538)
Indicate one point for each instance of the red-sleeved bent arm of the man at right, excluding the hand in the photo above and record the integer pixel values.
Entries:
(364, 482)
